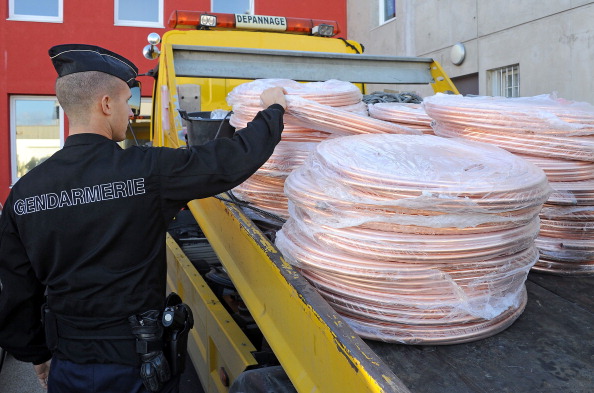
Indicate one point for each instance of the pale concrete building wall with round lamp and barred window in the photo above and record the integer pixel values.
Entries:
(551, 40)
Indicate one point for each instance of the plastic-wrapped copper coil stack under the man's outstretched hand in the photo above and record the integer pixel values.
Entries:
(316, 111)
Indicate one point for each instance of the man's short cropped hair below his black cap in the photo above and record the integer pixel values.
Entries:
(78, 92)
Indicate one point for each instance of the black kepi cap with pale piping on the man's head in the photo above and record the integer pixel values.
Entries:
(72, 58)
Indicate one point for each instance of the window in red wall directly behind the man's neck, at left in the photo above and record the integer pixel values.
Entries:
(36, 130)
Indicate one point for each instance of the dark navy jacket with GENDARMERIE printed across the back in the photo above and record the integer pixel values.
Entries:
(89, 225)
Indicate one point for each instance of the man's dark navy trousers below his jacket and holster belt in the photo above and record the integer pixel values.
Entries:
(69, 377)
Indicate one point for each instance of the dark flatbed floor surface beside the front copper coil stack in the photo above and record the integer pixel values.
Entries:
(550, 348)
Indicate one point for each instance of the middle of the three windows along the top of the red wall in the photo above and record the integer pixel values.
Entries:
(139, 13)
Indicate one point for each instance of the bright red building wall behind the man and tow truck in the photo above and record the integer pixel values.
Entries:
(25, 68)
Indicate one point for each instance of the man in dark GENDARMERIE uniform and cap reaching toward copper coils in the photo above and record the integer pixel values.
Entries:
(87, 228)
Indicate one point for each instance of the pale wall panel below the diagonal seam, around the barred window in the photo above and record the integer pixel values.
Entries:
(554, 54)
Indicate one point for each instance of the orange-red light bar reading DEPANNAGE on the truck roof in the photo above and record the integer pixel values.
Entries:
(214, 20)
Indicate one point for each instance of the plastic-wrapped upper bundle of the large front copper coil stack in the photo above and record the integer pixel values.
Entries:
(432, 178)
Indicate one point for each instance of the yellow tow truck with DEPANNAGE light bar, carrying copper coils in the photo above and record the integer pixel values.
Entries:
(286, 322)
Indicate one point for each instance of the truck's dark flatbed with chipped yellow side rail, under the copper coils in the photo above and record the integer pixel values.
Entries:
(549, 348)
